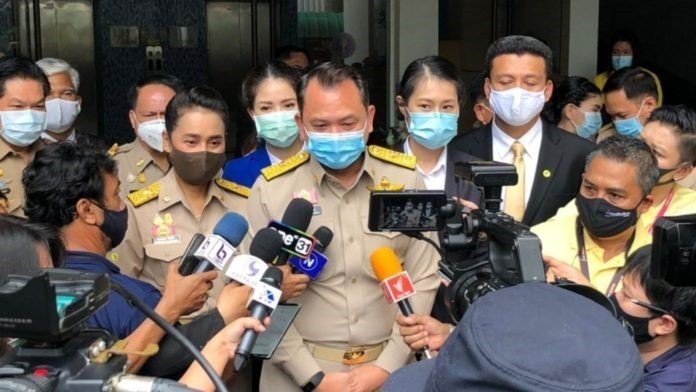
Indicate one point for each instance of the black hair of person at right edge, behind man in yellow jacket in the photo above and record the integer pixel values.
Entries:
(682, 121)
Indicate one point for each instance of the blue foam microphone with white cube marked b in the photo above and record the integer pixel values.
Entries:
(218, 248)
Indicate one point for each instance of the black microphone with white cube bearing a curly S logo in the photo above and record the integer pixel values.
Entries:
(248, 269)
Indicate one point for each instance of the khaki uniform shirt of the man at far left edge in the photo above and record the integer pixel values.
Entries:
(11, 167)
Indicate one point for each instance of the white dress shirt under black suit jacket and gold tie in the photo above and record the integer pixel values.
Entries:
(531, 141)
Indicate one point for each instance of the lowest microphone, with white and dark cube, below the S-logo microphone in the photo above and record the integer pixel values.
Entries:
(263, 301)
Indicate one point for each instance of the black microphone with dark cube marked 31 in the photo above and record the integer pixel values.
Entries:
(292, 227)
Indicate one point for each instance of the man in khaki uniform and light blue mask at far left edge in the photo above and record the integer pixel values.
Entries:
(22, 119)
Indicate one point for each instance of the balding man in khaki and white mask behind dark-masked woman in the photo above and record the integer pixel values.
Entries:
(143, 161)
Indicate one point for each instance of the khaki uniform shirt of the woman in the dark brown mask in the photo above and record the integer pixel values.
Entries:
(160, 230)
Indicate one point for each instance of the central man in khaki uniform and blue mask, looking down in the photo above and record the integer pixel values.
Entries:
(344, 337)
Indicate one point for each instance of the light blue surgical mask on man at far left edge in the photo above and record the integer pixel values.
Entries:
(22, 127)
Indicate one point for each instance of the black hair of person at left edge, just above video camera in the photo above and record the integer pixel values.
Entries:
(18, 240)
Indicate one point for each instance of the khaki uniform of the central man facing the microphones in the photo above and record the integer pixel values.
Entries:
(344, 307)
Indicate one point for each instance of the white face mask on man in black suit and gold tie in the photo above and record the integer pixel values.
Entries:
(517, 106)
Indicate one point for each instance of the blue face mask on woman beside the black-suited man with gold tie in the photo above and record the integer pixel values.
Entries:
(432, 130)
